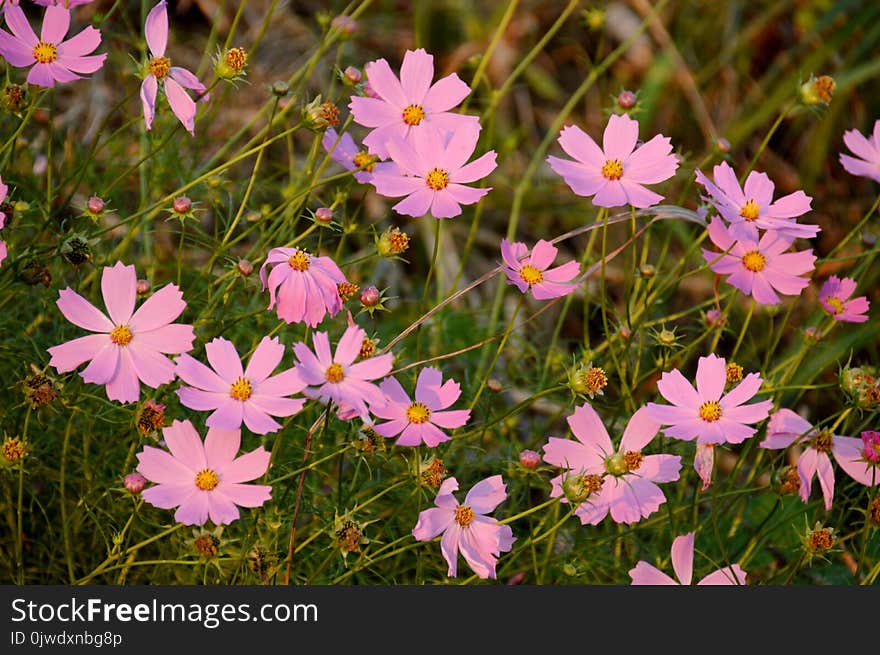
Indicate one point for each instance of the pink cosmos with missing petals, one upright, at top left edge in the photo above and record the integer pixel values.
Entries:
(174, 79)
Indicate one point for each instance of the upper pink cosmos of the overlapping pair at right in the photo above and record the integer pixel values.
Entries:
(752, 207)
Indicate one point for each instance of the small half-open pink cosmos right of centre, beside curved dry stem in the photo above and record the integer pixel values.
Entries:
(532, 270)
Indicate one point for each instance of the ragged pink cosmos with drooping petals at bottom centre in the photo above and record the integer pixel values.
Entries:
(466, 528)
